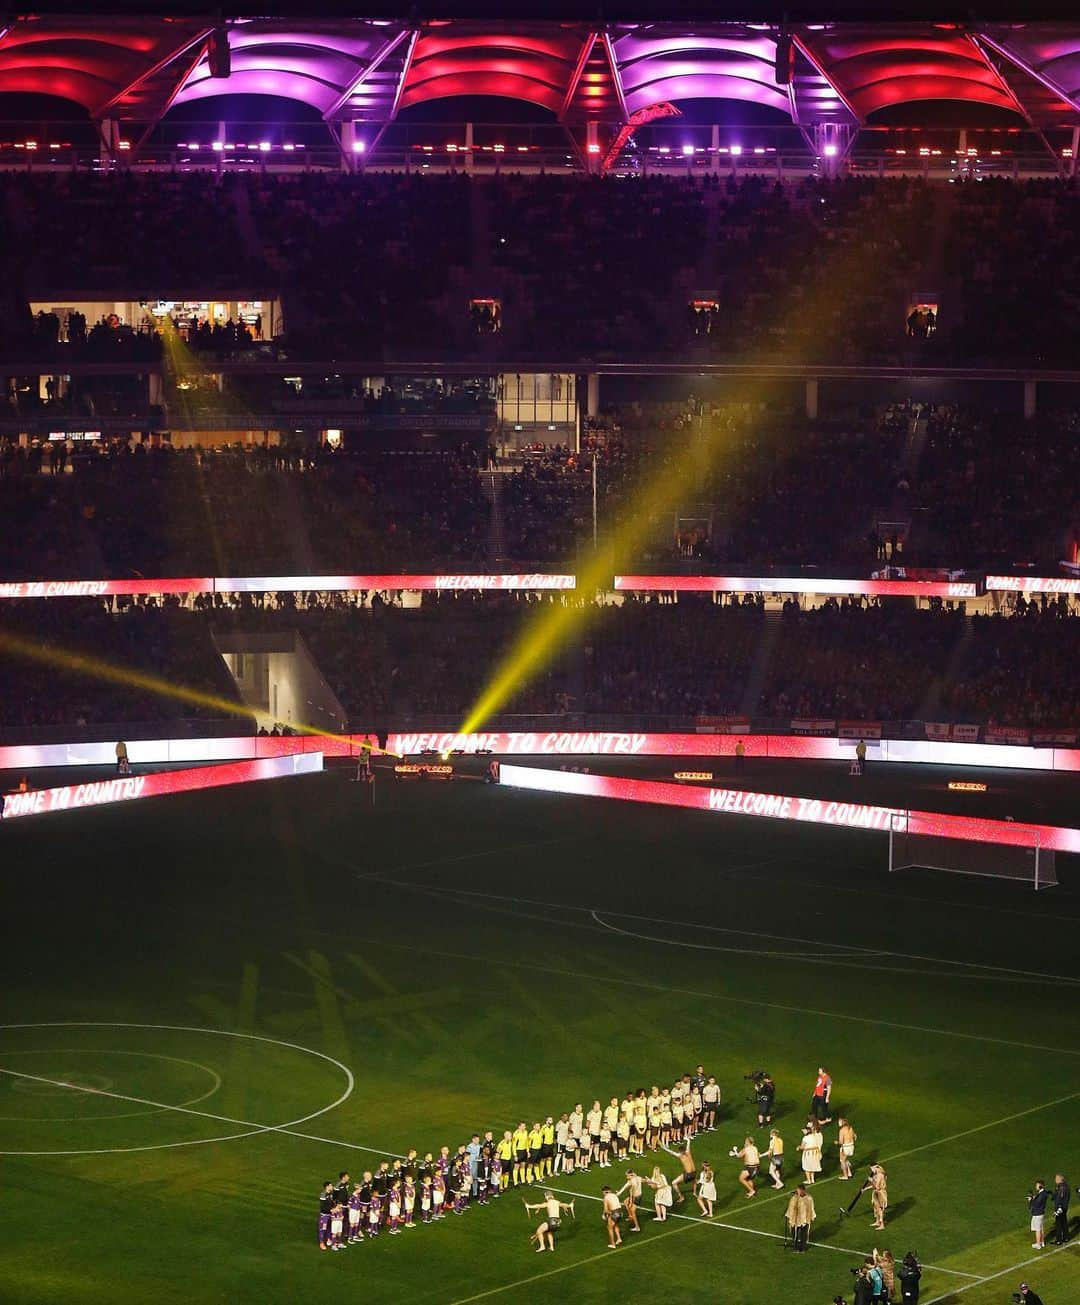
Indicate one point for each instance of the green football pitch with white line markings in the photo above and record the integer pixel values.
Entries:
(215, 1003)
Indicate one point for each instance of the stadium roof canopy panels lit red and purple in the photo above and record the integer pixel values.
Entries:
(136, 69)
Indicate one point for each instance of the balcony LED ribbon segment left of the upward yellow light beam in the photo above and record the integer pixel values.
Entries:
(273, 584)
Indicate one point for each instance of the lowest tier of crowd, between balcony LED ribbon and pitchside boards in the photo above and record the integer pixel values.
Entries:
(392, 666)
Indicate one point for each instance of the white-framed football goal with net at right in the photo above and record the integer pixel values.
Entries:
(1022, 858)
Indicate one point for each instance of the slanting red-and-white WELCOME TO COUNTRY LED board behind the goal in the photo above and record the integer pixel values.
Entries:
(815, 811)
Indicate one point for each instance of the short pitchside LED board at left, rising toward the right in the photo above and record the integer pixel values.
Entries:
(128, 789)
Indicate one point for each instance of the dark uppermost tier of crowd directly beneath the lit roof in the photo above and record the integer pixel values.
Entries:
(376, 264)
